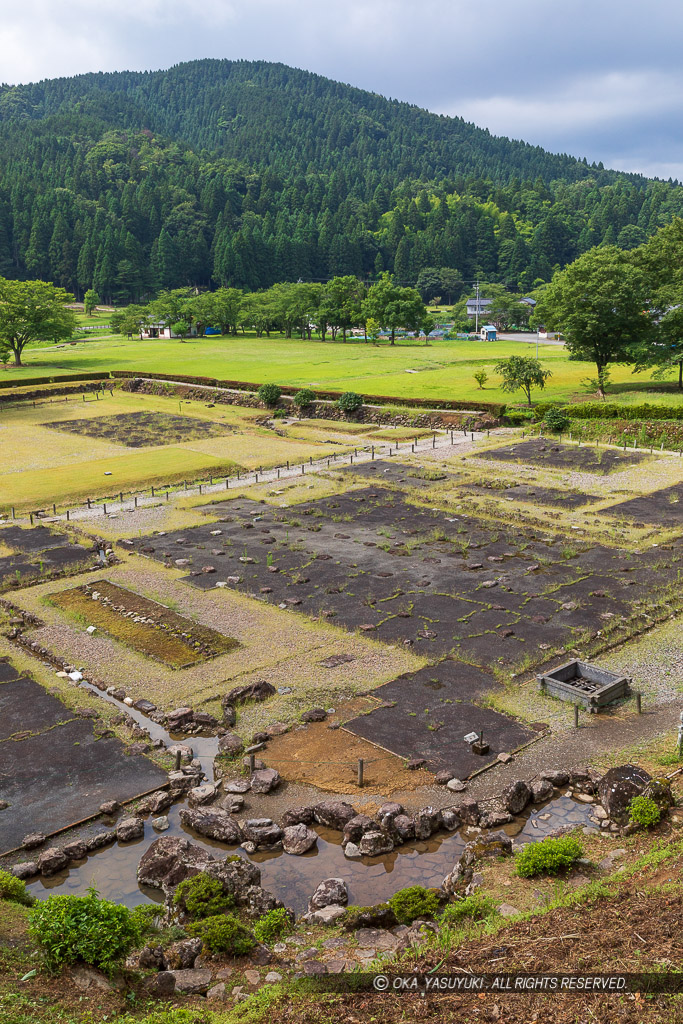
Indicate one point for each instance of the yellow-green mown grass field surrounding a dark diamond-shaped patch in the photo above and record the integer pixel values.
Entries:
(42, 465)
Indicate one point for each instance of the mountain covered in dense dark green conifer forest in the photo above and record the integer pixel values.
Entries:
(248, 174)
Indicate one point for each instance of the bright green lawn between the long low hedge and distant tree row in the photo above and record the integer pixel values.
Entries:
(411, 369)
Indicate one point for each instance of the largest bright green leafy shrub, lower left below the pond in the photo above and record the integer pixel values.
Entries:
(88, 928)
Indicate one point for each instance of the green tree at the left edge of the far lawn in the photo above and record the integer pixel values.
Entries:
(33, 311)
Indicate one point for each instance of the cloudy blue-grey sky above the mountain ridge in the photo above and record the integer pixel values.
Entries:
(601, 79)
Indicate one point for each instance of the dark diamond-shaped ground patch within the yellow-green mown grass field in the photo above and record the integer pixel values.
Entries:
(144, 430)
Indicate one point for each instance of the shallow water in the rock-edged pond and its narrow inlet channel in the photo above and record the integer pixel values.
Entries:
(292, 879)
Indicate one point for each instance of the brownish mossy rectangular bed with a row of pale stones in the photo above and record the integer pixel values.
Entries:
(146, 626)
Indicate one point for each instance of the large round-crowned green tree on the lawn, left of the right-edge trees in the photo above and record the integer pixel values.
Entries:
(602, 304)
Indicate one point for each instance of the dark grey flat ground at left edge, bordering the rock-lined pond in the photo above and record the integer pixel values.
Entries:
(59, 774)
